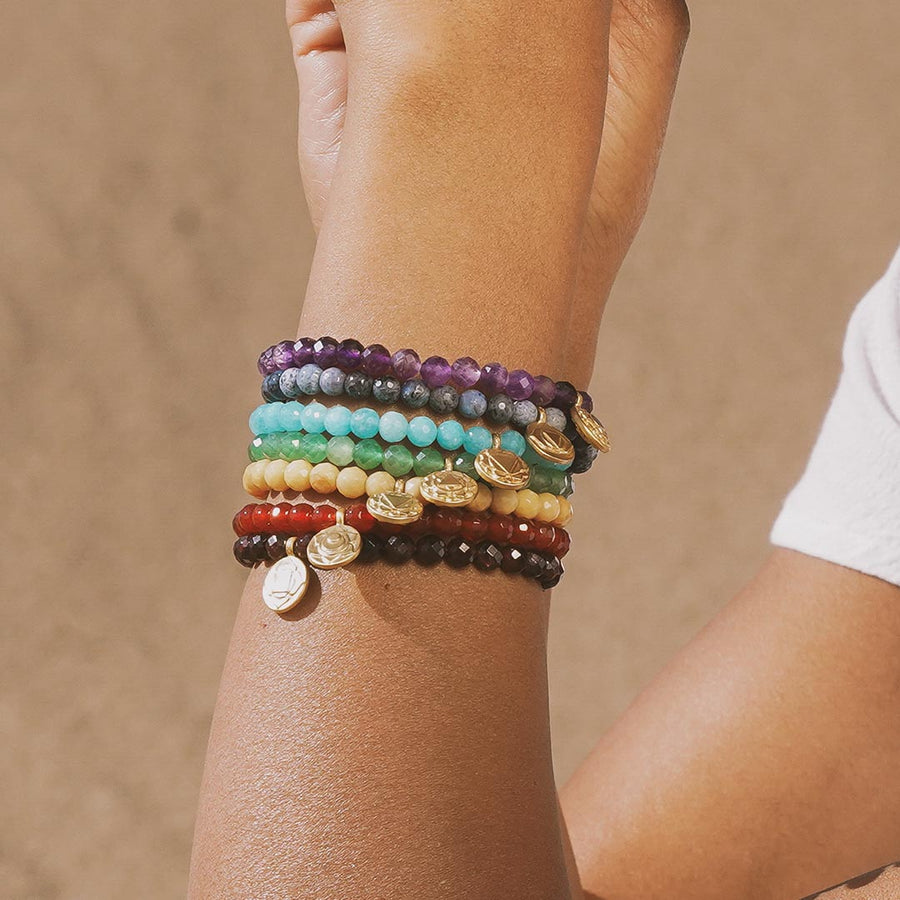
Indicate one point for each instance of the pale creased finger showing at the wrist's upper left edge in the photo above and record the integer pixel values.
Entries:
(320, 60)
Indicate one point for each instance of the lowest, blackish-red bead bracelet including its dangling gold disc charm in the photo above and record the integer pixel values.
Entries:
(287, 580)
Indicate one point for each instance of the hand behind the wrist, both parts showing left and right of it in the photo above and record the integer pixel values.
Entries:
(645, 45)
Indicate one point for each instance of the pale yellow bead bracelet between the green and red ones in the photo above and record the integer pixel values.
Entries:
(277, 476)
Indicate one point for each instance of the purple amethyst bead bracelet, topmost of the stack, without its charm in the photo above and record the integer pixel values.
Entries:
(435, 372)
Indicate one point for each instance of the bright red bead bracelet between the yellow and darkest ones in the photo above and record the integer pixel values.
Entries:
(304, 519)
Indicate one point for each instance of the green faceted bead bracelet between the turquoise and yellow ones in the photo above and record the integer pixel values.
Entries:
(398, 460)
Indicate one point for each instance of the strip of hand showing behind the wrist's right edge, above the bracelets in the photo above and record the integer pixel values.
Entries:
(647, 40)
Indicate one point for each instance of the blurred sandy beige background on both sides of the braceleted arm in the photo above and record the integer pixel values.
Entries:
(154, 239)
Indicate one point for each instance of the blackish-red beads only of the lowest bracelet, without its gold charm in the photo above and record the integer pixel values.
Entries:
(427, 550)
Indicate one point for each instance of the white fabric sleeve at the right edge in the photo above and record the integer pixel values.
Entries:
(846, 506)
